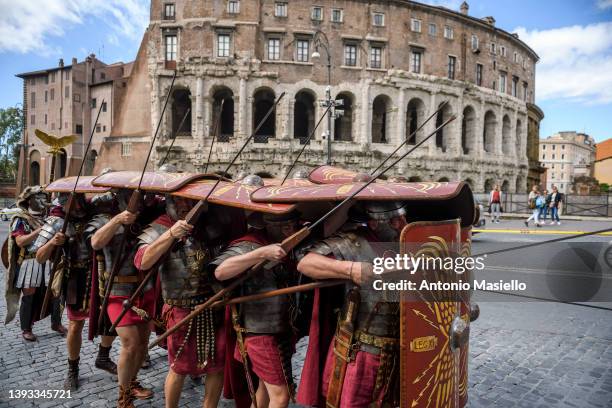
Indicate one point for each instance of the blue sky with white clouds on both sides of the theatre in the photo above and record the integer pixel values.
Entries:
(572, 37)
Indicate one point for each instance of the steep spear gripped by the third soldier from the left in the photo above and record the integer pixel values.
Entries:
(133, 207)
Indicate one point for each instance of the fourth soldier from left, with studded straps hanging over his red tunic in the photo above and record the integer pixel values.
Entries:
(184, 251)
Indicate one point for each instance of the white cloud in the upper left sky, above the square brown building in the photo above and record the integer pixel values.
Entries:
(25, 26)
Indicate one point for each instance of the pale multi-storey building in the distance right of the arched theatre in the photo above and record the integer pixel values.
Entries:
(567, 156)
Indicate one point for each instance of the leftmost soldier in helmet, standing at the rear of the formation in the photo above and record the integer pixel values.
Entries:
(25, 275)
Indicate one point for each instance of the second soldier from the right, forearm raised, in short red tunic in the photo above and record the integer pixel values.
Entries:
(264, 328)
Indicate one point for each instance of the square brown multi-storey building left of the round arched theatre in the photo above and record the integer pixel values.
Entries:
(62, 101)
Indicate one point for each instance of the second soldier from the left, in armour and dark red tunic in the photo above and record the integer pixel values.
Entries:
(73, 279)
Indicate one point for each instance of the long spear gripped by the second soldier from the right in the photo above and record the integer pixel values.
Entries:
(287, 244)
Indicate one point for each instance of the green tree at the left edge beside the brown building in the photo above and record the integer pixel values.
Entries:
(11, 129)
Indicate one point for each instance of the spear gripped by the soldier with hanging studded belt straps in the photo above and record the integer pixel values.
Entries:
(192, 217)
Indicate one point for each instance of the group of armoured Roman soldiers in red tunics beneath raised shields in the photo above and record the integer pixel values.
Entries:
(244, 351)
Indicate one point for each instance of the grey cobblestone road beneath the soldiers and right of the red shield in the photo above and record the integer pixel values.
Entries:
(523, 352)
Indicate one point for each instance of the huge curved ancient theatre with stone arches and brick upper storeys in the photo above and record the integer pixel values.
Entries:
(392, 63)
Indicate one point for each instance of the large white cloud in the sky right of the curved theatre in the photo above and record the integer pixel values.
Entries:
(575, 62)
